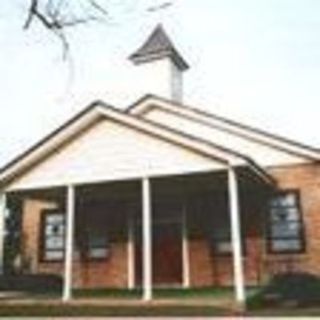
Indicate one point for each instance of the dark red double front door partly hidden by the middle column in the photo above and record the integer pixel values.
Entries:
(166, 254)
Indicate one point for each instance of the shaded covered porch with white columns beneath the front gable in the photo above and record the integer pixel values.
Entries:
(178, 231)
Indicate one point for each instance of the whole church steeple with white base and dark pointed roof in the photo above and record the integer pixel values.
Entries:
(162, 64)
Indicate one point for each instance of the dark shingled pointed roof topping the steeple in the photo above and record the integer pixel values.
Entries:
(158, 46)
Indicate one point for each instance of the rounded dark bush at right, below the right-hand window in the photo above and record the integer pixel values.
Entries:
(288, 289)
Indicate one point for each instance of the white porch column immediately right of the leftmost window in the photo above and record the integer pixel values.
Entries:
(70, 215)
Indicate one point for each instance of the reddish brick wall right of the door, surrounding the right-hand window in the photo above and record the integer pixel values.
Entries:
(259, 265)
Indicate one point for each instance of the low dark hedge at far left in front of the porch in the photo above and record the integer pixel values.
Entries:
(37, 283)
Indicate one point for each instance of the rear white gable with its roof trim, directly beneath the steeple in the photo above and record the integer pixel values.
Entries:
(234, 135)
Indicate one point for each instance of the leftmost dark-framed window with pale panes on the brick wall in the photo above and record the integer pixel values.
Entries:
(53, 236)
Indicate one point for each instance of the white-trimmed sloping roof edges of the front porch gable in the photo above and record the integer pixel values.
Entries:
(99, 110)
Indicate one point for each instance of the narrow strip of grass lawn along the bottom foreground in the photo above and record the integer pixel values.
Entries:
(42, 310)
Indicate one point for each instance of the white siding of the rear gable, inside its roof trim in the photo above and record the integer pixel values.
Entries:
(263, 154)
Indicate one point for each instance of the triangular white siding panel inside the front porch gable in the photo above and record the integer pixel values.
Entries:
(111, 151)
